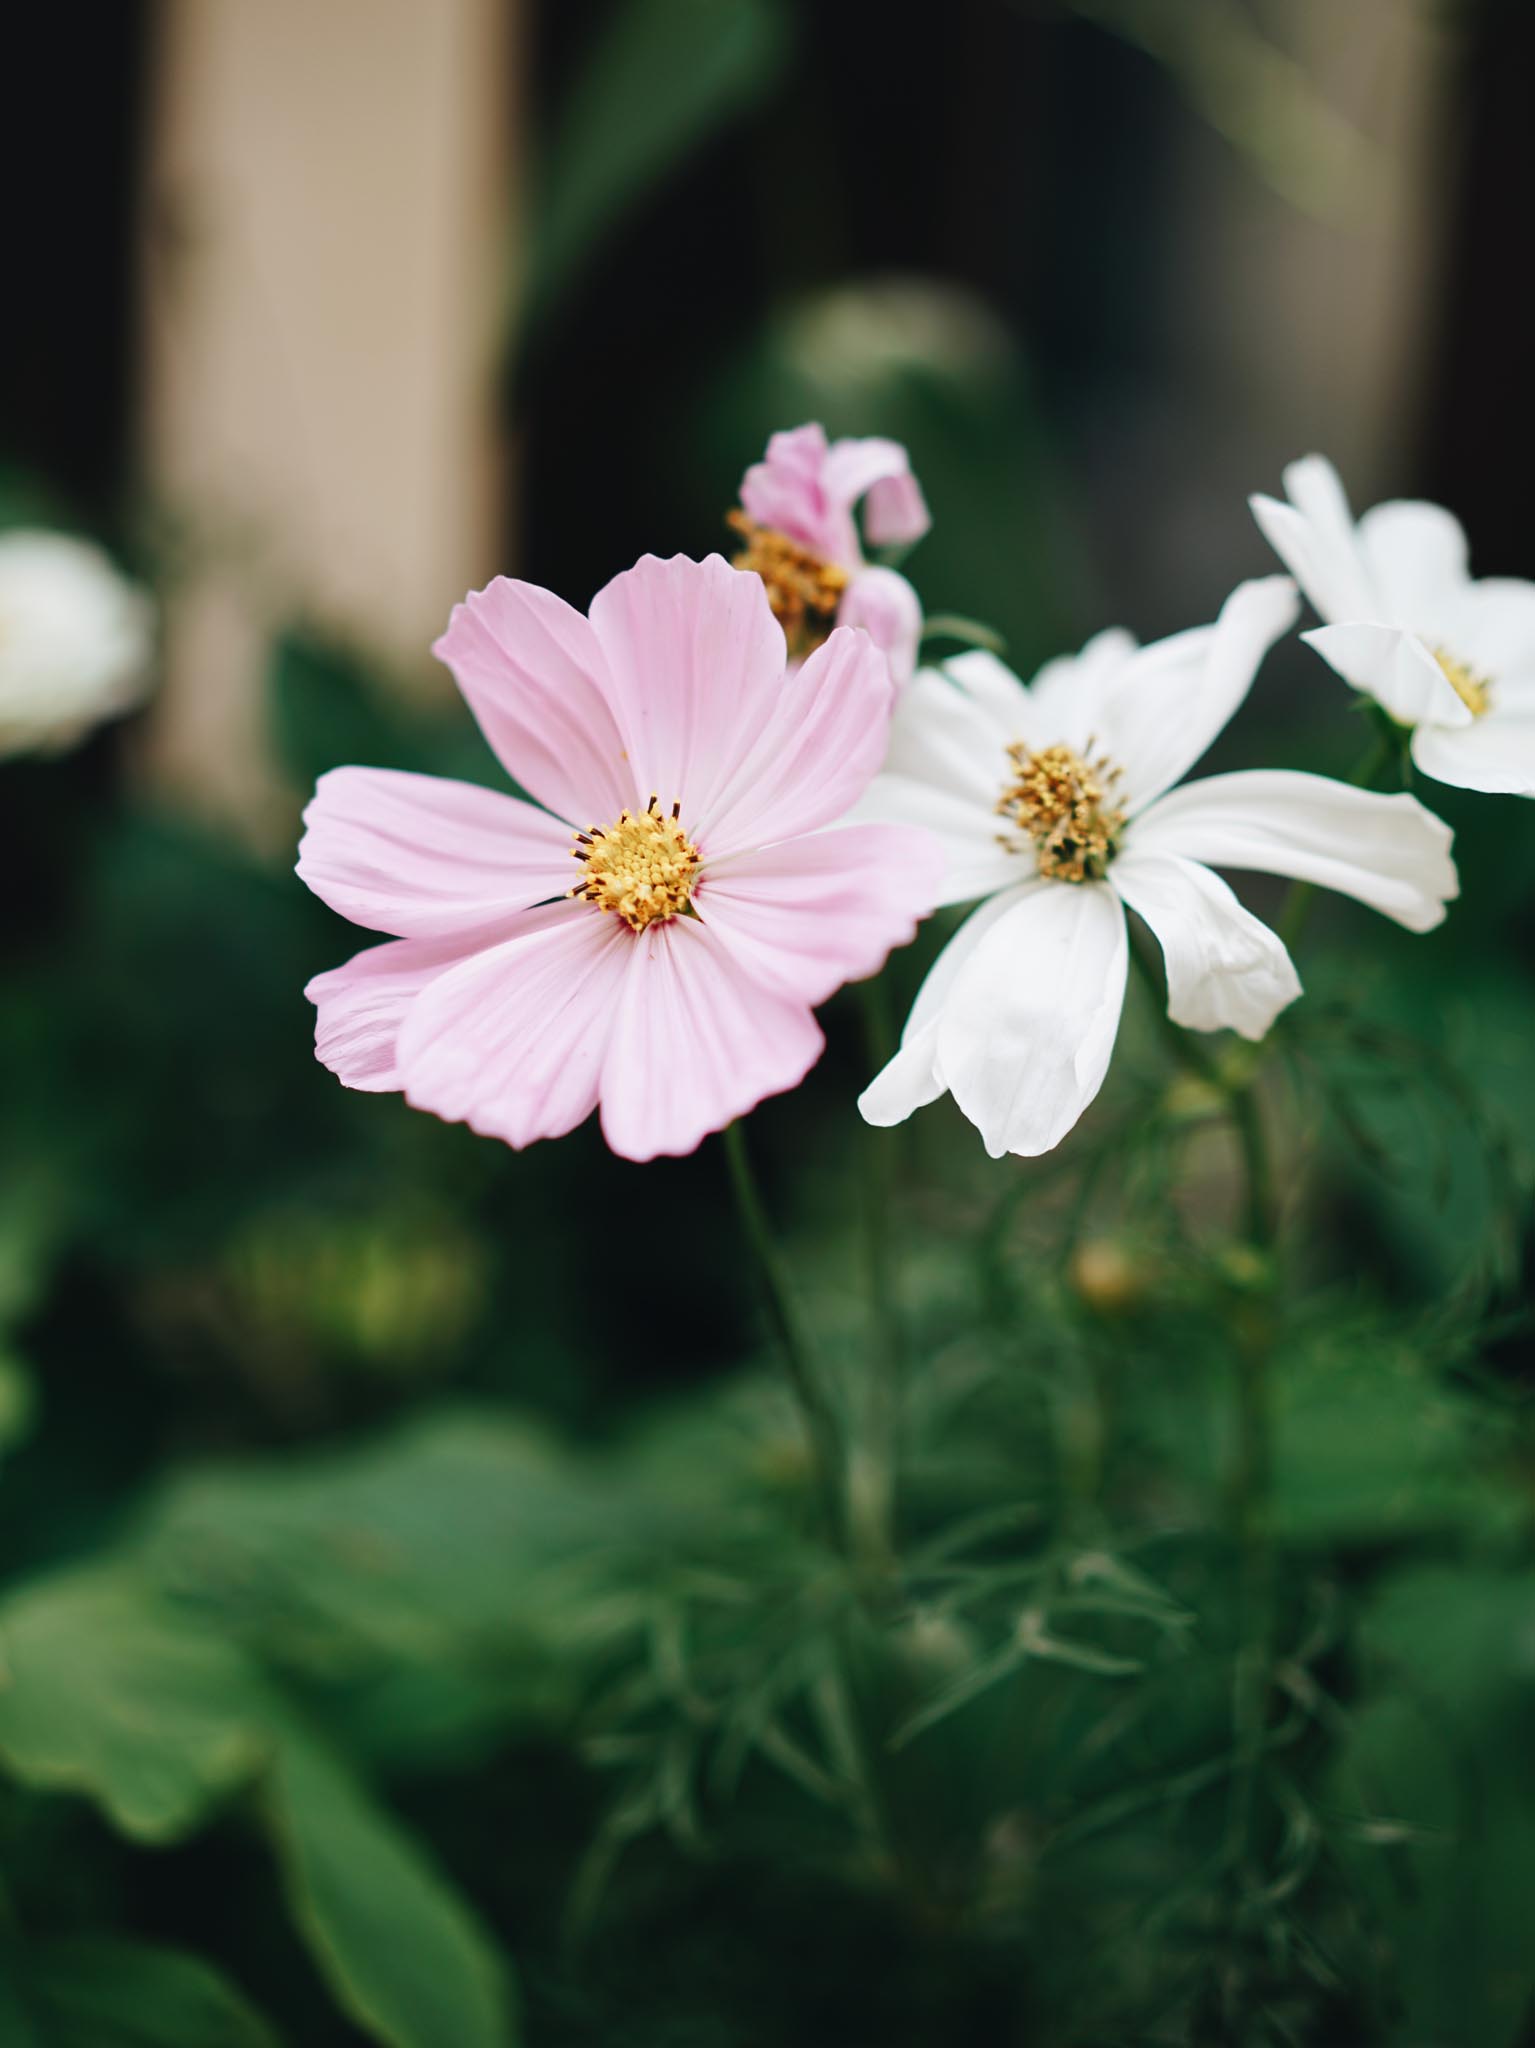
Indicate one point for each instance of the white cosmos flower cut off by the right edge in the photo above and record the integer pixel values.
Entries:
(1405, 622)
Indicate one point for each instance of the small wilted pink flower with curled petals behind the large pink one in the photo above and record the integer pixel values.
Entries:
(797, 517)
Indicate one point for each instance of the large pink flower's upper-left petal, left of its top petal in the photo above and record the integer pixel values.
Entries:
(535, 679)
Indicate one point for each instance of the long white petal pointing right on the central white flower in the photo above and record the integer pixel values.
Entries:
(1385, 851)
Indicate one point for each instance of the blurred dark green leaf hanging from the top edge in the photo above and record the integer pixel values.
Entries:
(658, 81)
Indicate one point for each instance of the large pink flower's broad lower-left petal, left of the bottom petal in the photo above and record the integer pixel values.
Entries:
(513, 1041)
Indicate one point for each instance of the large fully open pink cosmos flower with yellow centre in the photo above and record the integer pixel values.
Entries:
(693, 781)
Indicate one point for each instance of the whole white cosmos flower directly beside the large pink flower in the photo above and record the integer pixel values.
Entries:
(1057, 806)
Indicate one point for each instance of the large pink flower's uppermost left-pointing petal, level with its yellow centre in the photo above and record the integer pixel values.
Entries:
(425, 857)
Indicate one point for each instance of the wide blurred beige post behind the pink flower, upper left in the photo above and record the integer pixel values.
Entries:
(324, 275)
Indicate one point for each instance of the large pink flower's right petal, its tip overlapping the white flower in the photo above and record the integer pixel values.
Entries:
(816, 912)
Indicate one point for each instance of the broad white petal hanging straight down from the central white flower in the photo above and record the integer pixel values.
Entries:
(1028, 1027)
